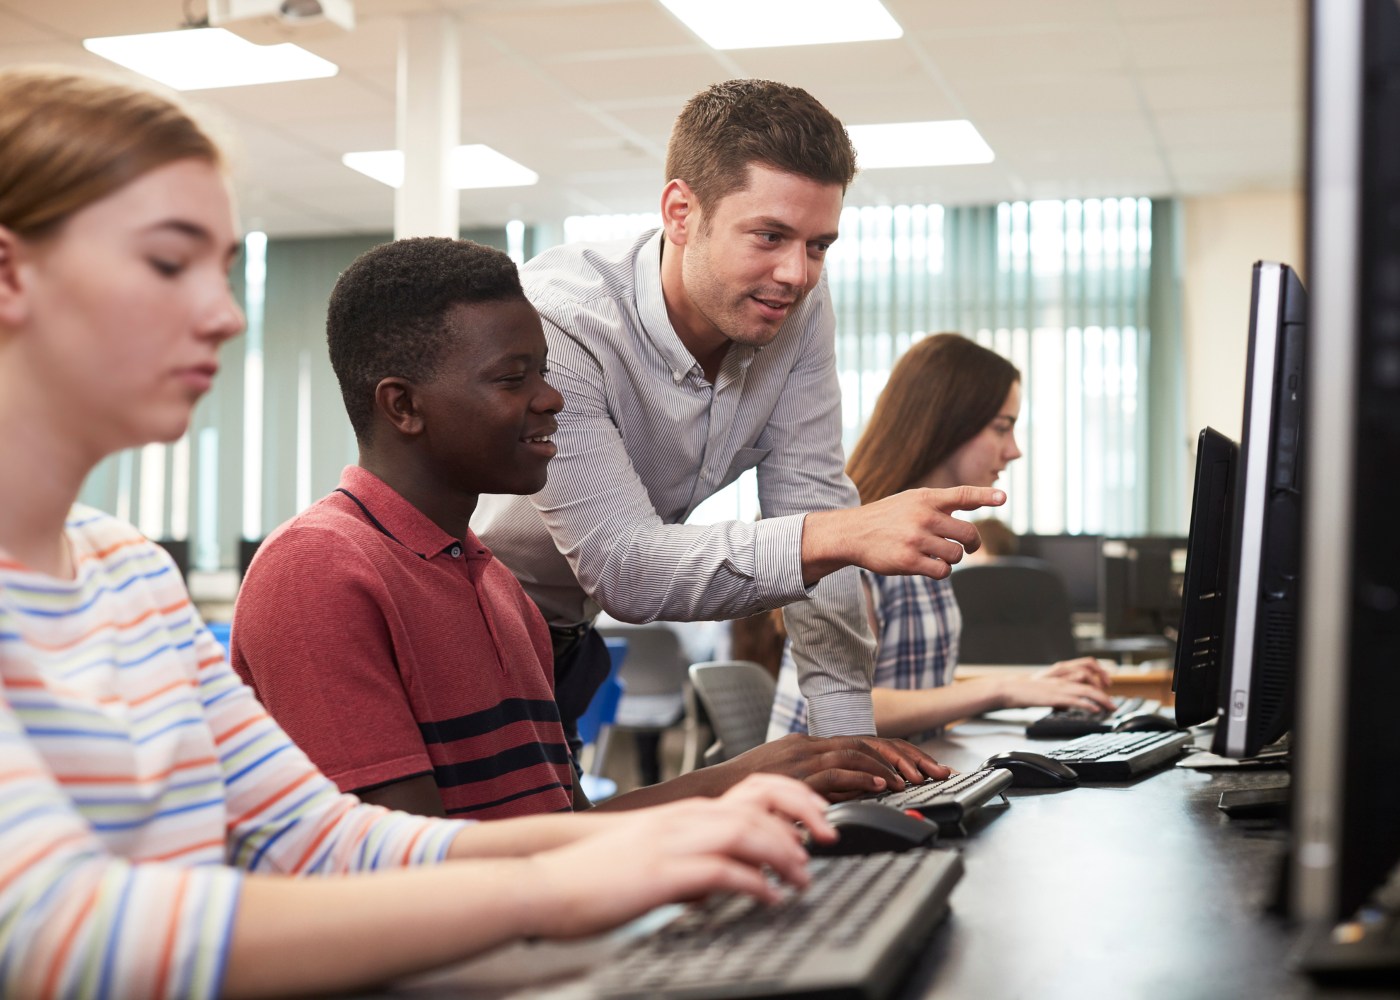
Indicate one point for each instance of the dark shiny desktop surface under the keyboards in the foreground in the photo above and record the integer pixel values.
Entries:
(1133, 890)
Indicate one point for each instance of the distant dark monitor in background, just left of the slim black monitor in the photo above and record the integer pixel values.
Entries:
(1142, 585)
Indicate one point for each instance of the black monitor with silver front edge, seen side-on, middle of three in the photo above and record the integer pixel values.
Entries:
(1256, 697)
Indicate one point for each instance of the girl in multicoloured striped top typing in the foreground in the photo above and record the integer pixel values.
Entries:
(152, 814)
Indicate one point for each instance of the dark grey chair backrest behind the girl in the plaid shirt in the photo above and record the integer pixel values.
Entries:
(1016, 611)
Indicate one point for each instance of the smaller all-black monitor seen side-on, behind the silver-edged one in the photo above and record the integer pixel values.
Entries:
(1200, 649)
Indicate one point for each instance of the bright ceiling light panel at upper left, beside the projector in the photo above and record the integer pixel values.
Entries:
(206, 58)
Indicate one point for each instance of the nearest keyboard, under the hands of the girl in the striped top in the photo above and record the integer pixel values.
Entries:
(855, 931)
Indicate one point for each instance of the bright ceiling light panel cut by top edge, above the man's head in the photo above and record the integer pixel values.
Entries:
(761, 25)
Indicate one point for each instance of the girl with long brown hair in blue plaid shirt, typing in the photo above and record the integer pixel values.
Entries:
(947, 418)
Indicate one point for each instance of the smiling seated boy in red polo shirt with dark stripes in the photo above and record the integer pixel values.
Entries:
(380, 632)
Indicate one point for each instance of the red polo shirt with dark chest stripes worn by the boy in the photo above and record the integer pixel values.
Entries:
(387, 649)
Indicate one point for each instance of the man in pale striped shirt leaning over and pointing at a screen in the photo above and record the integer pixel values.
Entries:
(685, 358)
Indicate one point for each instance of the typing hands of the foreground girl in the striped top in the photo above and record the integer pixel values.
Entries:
(674, 854)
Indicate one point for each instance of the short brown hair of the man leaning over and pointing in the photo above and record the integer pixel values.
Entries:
(738, 123)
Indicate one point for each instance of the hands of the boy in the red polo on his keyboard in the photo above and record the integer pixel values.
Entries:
(842, 767)
